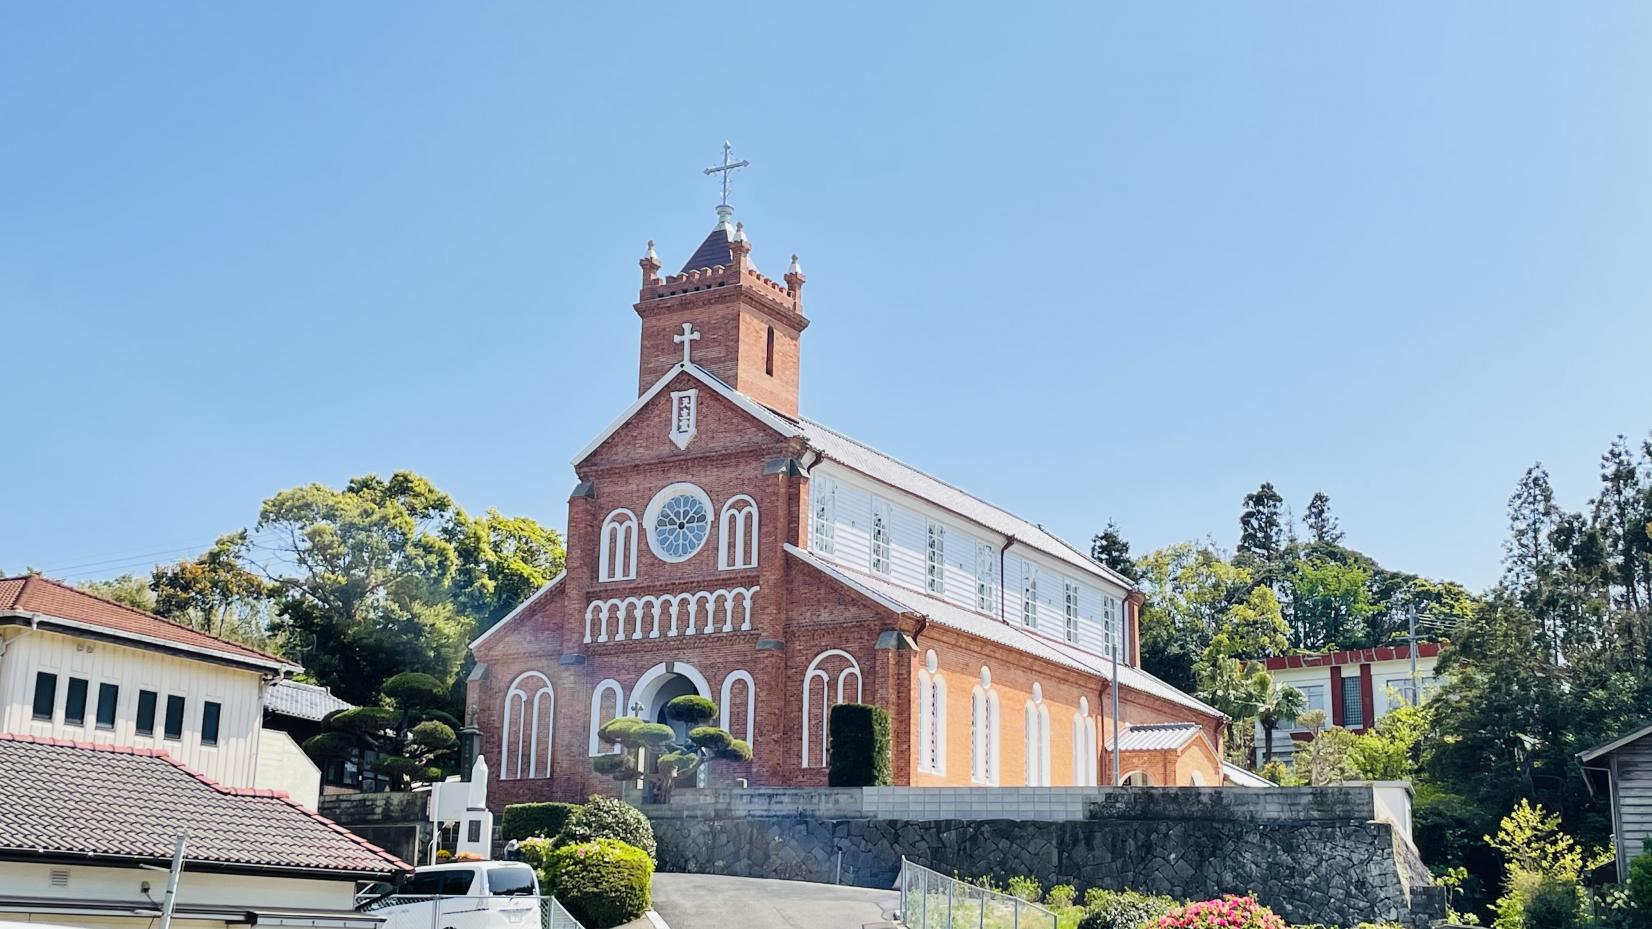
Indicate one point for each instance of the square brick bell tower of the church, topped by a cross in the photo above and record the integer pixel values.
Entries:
(749, 325)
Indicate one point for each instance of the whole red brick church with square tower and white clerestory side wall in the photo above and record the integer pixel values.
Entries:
(721, 543)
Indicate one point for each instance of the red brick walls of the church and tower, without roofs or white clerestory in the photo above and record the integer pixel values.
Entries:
(800, 621)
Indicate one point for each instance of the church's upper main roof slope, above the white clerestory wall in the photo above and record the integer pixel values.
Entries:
(890, 470)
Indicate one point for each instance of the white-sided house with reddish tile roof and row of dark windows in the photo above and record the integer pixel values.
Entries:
(80, 669)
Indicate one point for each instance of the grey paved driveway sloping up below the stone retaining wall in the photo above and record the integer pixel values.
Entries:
(711, 902)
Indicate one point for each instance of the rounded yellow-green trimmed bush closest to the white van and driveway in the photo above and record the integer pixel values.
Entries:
(602, 882)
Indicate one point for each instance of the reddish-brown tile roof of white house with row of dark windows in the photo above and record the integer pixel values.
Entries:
(75, 611)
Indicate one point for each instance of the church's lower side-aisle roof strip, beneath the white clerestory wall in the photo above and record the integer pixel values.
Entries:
(944, 612)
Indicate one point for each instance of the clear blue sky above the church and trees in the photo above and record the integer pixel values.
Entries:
(1094, 262)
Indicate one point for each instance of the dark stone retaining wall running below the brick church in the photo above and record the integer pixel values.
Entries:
(1314, 857)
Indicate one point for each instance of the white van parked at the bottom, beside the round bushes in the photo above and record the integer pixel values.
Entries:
(463, 895)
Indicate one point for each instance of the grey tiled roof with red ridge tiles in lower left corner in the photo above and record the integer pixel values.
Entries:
(85, 801)
